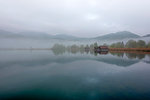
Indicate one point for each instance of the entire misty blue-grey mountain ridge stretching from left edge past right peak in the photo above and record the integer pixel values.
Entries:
(42, 35)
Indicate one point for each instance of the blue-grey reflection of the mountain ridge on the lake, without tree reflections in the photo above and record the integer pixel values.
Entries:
(49, 59)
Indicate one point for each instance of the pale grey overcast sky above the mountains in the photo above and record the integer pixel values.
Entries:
(86, 18)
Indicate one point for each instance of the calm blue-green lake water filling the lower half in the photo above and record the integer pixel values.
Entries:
(73, 76)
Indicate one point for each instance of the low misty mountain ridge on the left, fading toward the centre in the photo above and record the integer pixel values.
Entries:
(36, 35)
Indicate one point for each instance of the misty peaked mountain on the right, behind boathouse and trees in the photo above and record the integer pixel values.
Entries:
(117, 36)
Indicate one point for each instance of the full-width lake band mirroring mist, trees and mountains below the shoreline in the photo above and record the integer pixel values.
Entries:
(63, 56)
